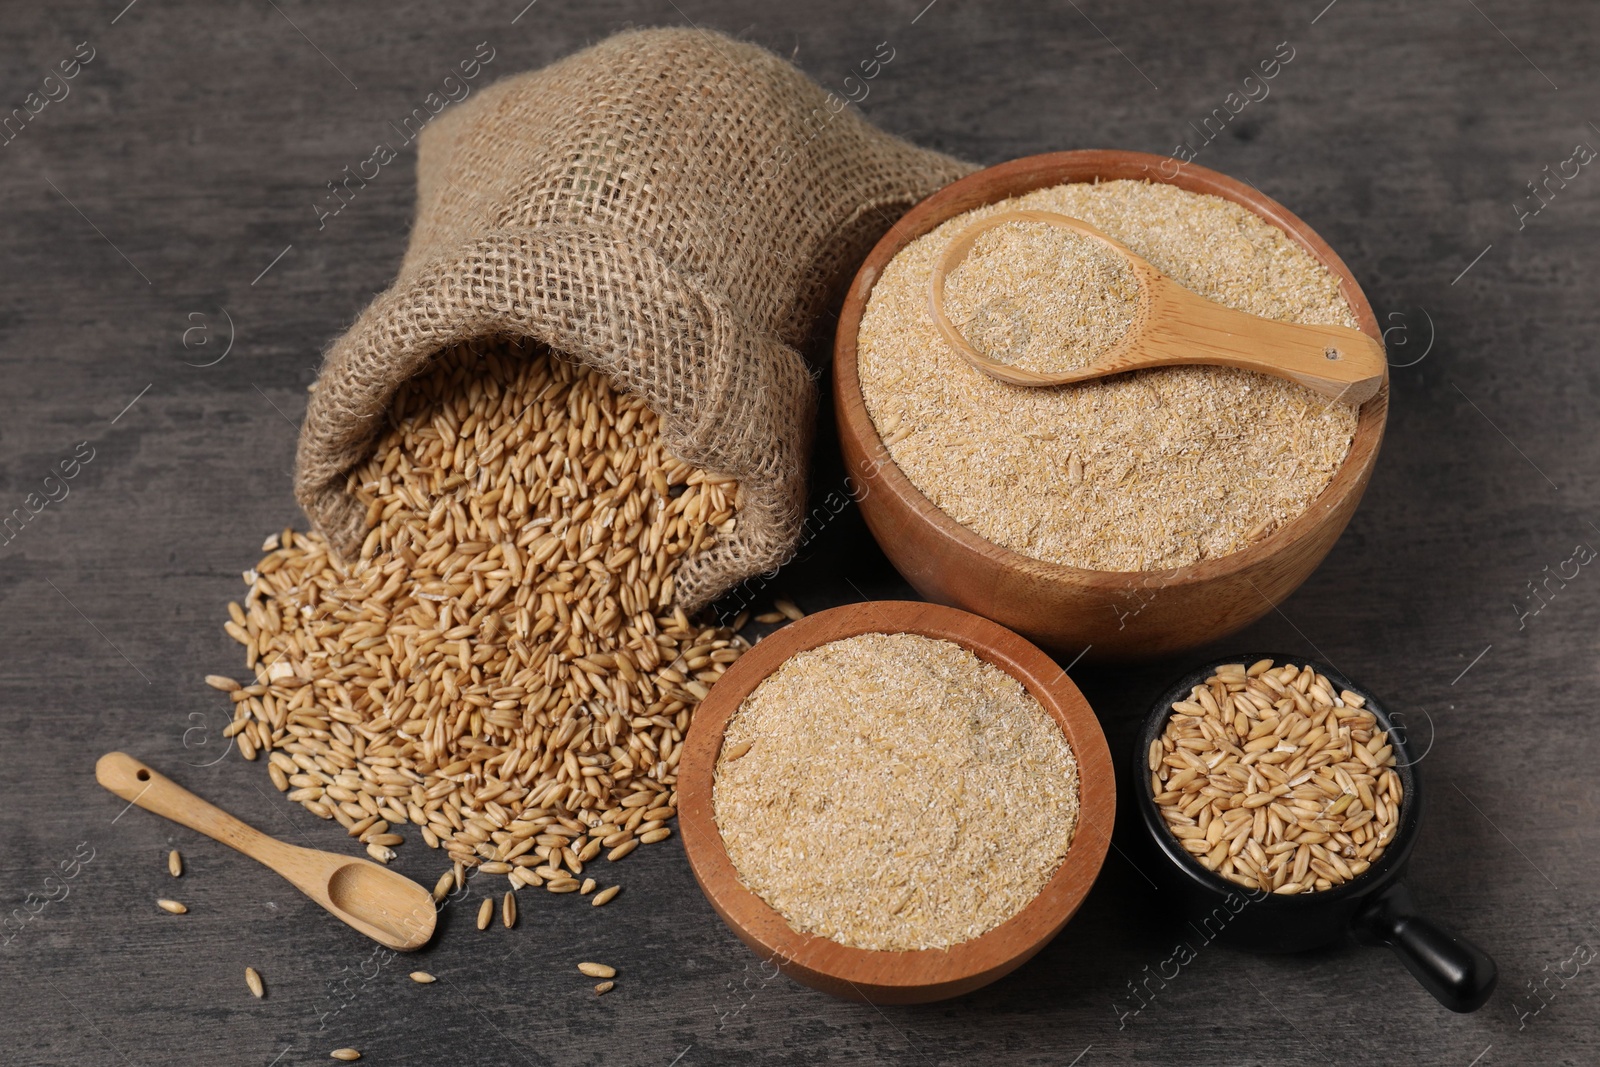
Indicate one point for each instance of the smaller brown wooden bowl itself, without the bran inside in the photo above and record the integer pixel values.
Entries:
(898, 978)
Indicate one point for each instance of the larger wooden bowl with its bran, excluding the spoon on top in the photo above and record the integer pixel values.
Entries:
(1130, 518)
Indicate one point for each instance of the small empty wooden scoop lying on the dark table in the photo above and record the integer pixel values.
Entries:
(380, 903)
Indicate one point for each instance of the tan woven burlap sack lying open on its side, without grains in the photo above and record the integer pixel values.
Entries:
(670, 207)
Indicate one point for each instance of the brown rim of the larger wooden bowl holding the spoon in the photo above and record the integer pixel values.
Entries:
(1031, 174)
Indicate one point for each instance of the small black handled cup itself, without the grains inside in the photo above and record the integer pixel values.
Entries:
(1374, 908)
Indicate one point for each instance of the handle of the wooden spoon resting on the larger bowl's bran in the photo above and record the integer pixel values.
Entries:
(1188, 329)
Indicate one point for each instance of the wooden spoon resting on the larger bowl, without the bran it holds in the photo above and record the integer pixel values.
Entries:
(1175, 327)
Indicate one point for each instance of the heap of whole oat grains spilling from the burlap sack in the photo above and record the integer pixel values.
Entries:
(503, 666)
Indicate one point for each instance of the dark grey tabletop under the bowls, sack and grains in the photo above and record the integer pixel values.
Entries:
(162, 204)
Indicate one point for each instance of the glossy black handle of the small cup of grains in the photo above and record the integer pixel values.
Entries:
(1458, 973)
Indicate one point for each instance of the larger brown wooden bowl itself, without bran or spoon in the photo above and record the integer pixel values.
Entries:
(1116, 615)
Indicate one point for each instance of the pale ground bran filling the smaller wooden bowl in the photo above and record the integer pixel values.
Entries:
(895, 793)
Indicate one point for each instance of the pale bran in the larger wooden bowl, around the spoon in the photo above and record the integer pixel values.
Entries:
(1145, 471)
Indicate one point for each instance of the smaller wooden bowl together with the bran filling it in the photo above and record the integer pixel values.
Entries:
(895, 802)
